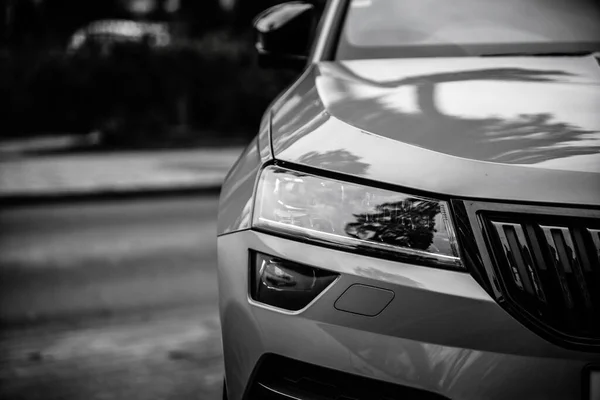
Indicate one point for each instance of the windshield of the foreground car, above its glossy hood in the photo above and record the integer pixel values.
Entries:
(433, 28)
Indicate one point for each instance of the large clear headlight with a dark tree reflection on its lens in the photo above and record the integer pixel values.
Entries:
(355, 217)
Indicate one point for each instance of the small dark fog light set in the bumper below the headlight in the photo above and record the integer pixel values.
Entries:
(284, 284)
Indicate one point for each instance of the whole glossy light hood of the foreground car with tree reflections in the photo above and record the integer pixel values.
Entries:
(509, 128)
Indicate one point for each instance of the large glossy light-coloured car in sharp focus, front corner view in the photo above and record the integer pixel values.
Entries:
(418, 216)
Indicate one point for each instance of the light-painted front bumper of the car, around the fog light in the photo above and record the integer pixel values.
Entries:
(442, 332)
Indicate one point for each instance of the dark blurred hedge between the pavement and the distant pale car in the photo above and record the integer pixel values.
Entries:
(136, 93)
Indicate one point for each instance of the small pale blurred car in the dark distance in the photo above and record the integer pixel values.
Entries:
(105, 34)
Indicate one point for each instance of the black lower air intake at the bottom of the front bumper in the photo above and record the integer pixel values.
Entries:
(283, 378)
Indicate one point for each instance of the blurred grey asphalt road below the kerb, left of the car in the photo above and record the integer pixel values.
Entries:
(110, 300)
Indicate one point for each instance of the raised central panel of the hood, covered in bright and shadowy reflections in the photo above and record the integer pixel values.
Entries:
(515, 113)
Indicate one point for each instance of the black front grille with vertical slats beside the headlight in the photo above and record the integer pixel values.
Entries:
(549, 267)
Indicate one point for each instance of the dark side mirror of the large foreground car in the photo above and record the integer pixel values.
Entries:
(284, 33)
